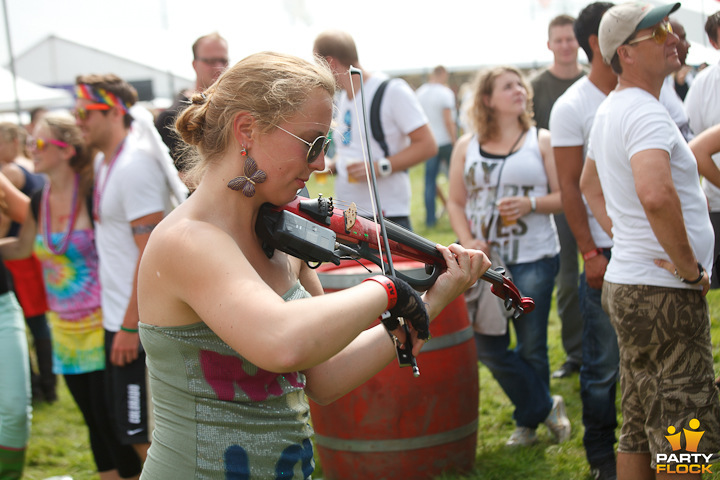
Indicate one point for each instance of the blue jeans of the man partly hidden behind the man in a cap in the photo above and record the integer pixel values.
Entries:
(598, 376)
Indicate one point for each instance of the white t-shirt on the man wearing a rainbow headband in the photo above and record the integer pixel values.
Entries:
(135, 187)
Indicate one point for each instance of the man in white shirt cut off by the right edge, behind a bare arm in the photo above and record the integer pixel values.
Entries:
(702, 105)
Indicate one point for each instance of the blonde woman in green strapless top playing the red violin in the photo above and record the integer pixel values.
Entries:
(235, 339)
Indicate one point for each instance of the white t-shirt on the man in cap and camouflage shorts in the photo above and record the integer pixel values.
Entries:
(630, 121)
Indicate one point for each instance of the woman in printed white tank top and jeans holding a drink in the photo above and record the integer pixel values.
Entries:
(503, 188)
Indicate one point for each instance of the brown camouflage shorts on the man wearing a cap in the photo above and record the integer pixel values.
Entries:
(666, 366)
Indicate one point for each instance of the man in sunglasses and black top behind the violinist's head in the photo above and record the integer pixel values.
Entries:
(210, 59)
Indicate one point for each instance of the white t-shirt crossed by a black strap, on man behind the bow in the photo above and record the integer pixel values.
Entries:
(400, 115)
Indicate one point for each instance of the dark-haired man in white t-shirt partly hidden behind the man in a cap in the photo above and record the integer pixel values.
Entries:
(571, 119)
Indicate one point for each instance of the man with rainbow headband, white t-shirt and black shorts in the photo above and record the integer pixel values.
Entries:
(131, 196)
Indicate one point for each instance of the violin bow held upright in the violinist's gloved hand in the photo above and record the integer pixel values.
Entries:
(405, 355)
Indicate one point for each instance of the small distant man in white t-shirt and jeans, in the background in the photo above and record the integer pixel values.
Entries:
(438, 102)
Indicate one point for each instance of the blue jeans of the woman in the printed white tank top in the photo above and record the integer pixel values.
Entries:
(524, 372)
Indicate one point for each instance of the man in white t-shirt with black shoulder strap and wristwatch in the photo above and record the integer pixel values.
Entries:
(407, 134)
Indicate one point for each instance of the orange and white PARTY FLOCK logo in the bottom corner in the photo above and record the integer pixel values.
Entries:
(688, 462)
